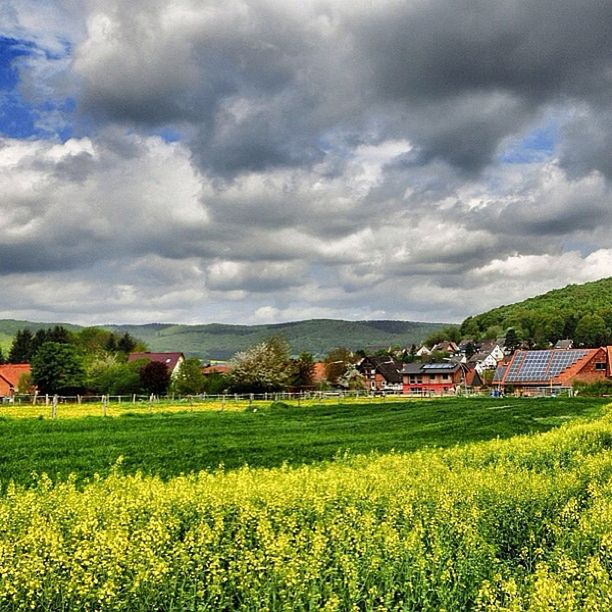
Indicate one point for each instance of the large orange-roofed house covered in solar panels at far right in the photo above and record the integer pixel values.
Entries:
(530, 372)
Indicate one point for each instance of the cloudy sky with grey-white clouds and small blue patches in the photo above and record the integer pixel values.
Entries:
(260, 161)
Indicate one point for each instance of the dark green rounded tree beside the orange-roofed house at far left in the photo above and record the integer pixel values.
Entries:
(58, 368)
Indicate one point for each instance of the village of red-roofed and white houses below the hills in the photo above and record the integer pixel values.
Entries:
(444, 369)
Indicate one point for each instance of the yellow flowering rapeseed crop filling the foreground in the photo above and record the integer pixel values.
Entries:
(518, 524)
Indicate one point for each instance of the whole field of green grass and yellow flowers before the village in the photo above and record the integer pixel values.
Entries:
(521, 523)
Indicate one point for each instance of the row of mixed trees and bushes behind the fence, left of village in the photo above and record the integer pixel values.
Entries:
(95, 360)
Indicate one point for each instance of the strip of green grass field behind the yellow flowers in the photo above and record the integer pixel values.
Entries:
(175, 442)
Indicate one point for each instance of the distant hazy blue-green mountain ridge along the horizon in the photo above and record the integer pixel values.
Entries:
(221, 341)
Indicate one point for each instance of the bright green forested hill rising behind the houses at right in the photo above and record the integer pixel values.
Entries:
(581, 312)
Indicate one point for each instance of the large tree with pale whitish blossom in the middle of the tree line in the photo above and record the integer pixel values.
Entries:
(262, 368)
